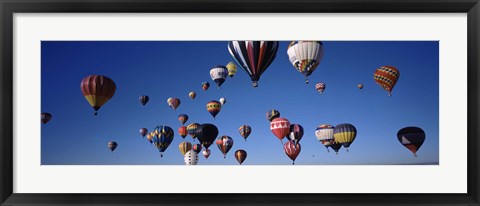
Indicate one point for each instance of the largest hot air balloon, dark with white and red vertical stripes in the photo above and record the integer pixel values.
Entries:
(253, 56)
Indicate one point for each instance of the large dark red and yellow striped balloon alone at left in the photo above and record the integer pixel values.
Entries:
(97, 90)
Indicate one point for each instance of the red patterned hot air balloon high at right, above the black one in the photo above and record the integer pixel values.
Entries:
(386, 77)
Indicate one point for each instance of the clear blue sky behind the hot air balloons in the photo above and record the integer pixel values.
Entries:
(164, 69)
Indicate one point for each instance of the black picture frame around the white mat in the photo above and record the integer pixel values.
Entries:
(10, 7)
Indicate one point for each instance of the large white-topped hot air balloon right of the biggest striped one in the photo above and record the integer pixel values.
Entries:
(305, 56)
